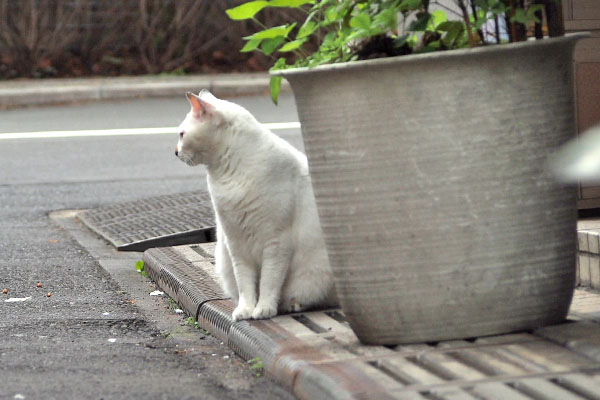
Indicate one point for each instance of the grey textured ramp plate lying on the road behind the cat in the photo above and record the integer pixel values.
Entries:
(160, 221)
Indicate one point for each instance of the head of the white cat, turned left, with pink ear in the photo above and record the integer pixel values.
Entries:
(200, 131)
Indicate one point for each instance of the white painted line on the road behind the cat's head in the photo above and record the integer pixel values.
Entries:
(276, 126)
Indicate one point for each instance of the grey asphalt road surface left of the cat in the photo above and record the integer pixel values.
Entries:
(100, 335)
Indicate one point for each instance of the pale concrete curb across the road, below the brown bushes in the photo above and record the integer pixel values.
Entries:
(21, 93)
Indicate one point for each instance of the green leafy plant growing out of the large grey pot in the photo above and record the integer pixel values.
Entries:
(348, 30)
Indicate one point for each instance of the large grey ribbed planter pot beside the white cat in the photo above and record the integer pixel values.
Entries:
(429, 174)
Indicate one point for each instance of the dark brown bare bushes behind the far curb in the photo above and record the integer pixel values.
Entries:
(41, 38)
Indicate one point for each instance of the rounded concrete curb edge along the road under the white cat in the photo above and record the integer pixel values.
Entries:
(284, 356)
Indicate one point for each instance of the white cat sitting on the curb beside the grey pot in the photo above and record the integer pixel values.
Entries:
(270, 253)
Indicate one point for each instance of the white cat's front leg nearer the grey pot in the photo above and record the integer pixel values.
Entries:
(272, 275)
